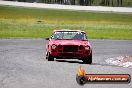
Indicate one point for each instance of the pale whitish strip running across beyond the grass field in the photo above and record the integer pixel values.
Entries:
(68, 7)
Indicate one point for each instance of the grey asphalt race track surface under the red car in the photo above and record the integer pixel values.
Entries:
(23, 64)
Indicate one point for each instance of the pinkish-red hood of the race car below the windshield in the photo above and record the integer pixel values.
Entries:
(70, 42)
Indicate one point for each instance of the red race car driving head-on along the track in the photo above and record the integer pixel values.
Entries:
(69, 44)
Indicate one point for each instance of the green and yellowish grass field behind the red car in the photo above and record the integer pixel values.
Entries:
(19, 22)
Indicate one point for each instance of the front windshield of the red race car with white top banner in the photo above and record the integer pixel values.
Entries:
(64, 35)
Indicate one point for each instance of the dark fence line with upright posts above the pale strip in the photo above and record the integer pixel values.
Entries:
(114, 3)
